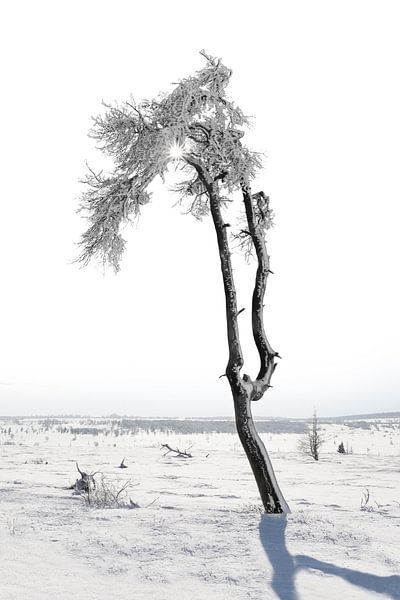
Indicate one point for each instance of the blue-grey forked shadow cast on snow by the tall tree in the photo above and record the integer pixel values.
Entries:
(285, 566)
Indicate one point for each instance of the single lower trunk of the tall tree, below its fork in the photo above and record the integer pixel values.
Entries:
(271, 496)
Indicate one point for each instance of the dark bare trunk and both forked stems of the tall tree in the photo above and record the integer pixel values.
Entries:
(244, 390)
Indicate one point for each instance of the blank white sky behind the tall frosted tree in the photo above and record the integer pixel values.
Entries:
(322, 81)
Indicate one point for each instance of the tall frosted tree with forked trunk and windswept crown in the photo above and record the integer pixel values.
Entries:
(199, 129)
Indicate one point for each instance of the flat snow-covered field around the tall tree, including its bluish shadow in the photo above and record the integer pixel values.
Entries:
(198, 531)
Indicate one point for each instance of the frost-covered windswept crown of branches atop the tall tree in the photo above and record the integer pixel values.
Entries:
(196, 124)
